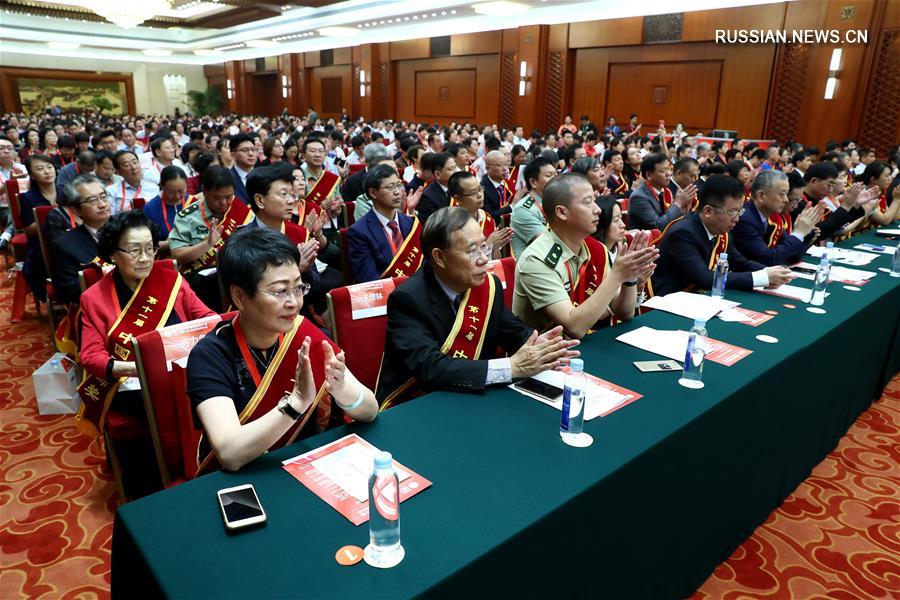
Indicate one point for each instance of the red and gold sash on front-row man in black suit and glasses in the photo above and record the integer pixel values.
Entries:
(465, 339)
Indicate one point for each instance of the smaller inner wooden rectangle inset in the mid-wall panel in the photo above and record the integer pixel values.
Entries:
(446, 94)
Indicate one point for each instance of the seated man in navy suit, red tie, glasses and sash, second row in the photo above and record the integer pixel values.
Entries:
(384, 242)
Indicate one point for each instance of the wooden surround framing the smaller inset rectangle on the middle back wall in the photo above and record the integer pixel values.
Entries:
(486, 89)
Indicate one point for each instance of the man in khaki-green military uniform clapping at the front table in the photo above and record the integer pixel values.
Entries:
(566, 277)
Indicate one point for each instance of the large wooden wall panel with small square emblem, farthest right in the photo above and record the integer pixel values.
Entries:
(686, 92)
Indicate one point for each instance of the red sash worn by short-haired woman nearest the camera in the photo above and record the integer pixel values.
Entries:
(276, 383)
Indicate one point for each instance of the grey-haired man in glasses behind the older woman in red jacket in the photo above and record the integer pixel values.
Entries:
(74, 249)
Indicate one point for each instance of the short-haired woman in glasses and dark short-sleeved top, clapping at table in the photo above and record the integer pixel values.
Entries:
(269, 375)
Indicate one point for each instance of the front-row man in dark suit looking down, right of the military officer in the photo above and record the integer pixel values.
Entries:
(691, 247)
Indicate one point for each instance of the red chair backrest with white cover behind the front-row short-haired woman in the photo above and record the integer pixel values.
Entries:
(155, 352)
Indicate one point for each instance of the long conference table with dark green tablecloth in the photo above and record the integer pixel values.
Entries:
(673, 483)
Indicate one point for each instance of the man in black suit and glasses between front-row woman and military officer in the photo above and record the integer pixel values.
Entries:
(446, 322)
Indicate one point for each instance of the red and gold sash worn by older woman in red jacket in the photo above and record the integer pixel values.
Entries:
(148, 309)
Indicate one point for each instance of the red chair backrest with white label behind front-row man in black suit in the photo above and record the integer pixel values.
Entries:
(359, 320)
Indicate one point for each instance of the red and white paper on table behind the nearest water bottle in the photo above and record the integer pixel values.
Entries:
(338, 473)
